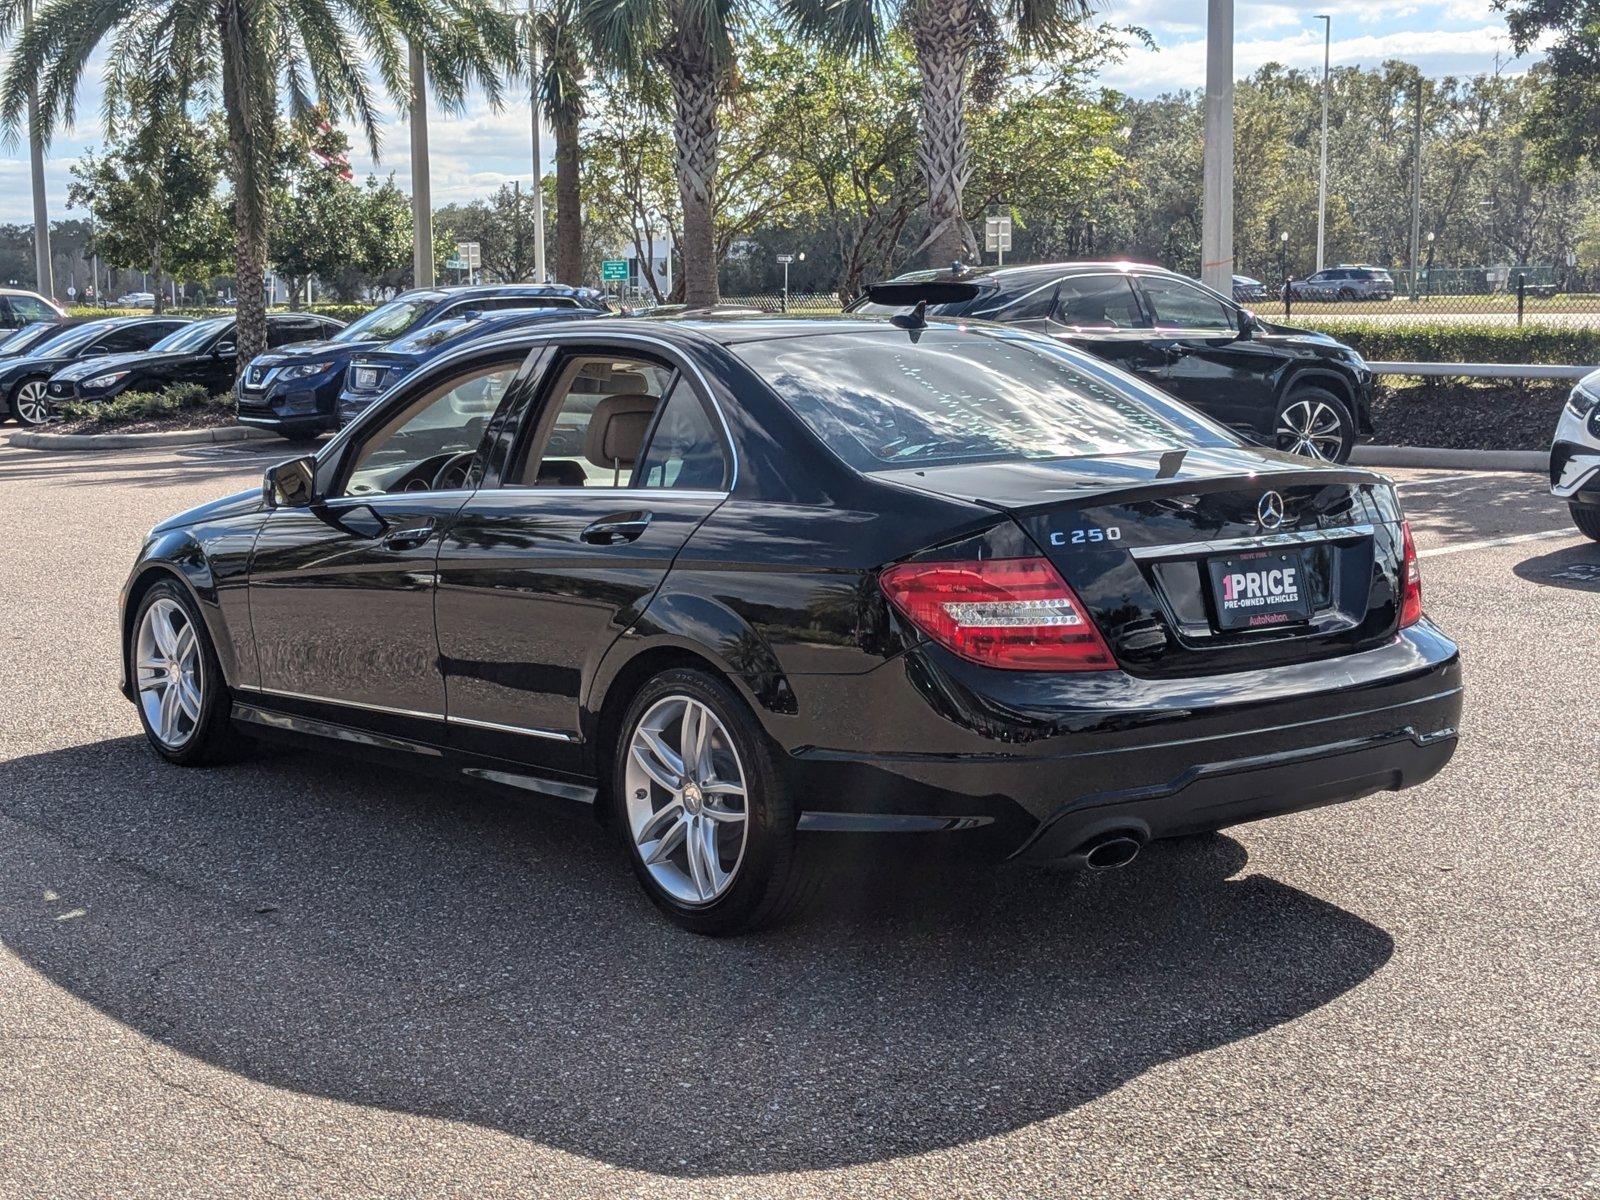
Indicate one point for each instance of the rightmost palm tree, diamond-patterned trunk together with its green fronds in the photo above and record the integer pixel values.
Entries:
(946, 36)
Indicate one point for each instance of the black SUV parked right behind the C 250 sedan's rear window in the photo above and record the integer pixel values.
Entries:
(1286, 388)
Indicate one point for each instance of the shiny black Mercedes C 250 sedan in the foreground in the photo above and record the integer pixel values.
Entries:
(750, 590)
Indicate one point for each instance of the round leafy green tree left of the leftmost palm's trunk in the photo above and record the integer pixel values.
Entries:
(153, 196)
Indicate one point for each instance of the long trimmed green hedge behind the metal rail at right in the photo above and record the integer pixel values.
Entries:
(1463, 342)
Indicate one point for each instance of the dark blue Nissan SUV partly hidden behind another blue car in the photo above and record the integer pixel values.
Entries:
(295, 391)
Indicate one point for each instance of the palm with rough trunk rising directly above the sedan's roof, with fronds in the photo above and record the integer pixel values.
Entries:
(692, 44)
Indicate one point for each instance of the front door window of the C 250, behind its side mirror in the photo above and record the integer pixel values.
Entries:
(430, 444)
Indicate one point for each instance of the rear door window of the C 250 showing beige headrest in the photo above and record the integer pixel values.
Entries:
(594, 423)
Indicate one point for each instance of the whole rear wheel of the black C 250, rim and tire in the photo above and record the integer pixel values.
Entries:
(708, 823)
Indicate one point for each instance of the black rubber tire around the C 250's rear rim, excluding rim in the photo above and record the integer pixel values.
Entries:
(775, 878)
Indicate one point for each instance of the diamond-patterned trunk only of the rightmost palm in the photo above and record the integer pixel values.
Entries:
(943, 36)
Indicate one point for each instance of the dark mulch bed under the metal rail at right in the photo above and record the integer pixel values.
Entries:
(1468, 415)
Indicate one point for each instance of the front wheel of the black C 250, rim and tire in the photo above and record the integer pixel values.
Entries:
(178, 682)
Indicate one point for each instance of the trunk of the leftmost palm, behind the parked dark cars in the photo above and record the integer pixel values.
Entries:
(249, 142)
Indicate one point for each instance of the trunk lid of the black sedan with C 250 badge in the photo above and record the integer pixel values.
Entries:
(1180, 562)
